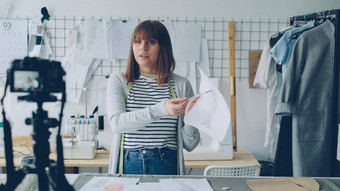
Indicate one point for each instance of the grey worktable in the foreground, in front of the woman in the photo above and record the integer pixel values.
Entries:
(231, 183)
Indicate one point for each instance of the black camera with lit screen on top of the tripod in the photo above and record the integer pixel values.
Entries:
(36, 75)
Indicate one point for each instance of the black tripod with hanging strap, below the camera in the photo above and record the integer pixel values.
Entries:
(50, 173)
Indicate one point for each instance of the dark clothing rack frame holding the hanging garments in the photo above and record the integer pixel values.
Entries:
(334, 16)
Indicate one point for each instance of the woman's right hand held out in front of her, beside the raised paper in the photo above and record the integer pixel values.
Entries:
(176, 106)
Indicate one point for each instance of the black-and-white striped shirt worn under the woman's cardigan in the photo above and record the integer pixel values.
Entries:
(161, 133)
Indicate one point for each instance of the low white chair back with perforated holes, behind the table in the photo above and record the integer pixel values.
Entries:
(232, 170)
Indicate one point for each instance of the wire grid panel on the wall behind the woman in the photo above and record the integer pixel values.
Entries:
(250, 34)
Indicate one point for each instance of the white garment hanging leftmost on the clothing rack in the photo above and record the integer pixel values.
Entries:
(266, 78)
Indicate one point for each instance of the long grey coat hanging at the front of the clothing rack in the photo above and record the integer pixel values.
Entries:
(307, 94)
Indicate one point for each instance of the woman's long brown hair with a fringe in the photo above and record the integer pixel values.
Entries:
(151, 29)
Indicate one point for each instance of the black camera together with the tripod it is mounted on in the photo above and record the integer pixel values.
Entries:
(39, 78)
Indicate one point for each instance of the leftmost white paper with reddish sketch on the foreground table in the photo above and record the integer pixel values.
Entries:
(110, 183)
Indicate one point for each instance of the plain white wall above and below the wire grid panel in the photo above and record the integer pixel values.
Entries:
(251, 103)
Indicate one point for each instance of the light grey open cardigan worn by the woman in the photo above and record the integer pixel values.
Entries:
(124, 122)
